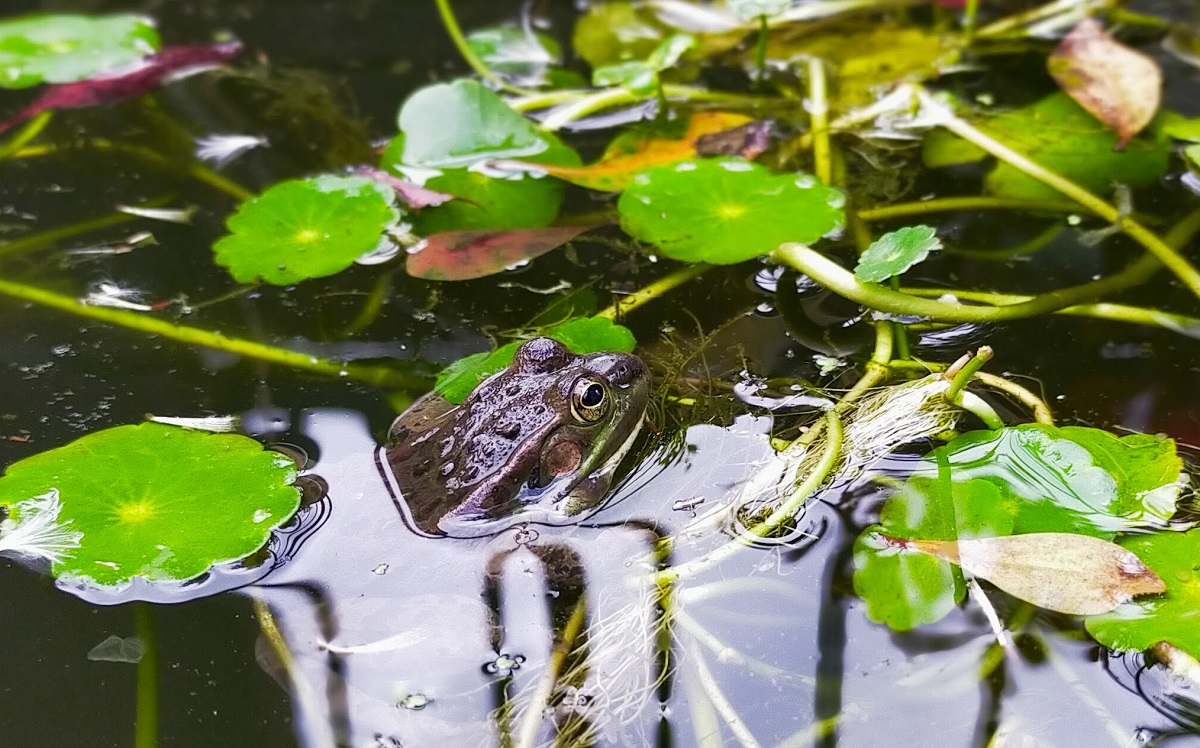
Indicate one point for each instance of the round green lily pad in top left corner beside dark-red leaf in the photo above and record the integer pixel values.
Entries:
(62, 49)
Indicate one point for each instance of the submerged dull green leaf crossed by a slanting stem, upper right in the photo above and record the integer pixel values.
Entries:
(1061, 136)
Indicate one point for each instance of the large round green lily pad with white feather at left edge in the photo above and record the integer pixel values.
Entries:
(153, 501)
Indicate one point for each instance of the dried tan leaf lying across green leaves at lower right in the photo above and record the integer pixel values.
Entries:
(1073, 575)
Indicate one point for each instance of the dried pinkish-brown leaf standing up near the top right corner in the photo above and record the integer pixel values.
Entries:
(1117, 85)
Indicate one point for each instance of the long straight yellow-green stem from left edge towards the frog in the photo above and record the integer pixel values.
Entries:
(379, 376)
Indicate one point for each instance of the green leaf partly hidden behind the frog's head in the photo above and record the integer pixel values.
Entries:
(584, 336)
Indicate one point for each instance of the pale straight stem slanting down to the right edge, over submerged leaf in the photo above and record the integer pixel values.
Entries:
(1136, 231)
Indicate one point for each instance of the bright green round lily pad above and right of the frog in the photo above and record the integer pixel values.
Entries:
(727, 211)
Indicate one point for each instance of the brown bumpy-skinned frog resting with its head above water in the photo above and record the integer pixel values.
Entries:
(537, 442)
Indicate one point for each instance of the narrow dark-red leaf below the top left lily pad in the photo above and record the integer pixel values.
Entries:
(147, 75)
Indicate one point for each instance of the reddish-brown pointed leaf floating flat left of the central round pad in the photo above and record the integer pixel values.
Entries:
(463, 256)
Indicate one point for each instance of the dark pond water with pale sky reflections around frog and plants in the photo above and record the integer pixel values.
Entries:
(400, 641)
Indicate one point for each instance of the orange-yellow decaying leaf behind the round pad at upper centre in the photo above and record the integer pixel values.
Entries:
(634, 152)
